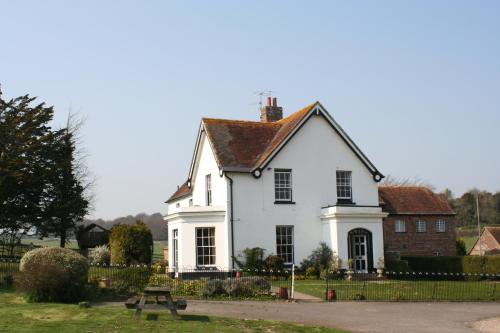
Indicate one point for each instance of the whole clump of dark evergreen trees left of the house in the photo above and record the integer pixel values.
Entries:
(43, 184)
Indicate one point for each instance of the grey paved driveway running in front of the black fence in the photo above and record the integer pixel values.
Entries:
(360, 316)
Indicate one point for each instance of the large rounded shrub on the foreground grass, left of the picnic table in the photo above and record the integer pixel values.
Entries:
(53, 275)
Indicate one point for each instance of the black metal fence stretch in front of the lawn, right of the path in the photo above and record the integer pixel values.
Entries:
(413, 286)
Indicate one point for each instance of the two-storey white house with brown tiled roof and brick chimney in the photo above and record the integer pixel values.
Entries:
(282, 184)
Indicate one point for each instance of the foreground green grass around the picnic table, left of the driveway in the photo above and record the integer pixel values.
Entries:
(20, 316)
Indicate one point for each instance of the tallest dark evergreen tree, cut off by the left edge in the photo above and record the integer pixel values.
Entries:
(25, 138)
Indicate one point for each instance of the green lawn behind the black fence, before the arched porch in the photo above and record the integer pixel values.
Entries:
(397, 290)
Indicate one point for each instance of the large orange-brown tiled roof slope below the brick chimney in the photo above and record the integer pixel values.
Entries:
(243, 145)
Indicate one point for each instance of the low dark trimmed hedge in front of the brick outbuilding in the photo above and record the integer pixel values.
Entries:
(455, 264)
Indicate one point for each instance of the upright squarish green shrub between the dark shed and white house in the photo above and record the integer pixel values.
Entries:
(131, 244)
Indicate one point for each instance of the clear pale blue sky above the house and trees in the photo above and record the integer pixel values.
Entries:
(416, 84)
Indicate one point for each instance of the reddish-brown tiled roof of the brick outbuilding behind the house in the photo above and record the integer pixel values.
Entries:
(412, 200)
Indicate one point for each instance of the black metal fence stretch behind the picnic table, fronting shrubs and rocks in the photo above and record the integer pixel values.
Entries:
(196, 283)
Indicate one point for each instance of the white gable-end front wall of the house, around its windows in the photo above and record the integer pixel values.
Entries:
(314, 154)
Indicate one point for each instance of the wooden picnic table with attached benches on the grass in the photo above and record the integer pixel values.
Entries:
(155, 298)
